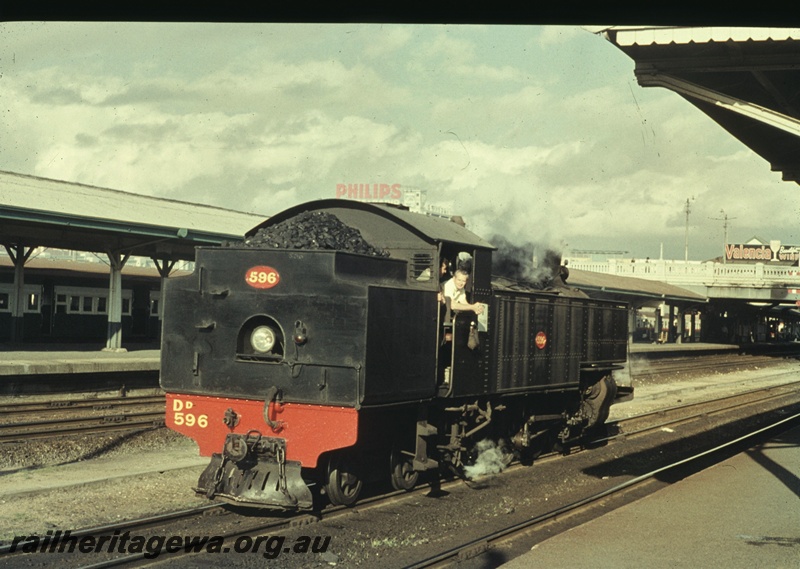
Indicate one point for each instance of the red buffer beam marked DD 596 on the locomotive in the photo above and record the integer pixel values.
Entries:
(309, 430)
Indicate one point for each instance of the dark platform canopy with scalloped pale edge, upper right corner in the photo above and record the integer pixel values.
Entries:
(745, 79)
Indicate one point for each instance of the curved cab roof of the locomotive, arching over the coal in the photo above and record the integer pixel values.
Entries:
(384, 224)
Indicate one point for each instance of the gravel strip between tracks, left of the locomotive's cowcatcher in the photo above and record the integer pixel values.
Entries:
(89, 489)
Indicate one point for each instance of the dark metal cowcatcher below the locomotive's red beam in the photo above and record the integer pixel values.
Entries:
(253, 471)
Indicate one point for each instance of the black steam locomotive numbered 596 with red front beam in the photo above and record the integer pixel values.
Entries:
(307, 363)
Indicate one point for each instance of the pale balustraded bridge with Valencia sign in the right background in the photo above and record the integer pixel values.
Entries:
(752, 291)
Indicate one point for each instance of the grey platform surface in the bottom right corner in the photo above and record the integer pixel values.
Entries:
(741, 513)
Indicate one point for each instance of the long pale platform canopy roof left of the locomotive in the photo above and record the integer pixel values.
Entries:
(38, 212)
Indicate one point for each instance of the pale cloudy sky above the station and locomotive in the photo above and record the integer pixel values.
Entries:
(538, 133)
